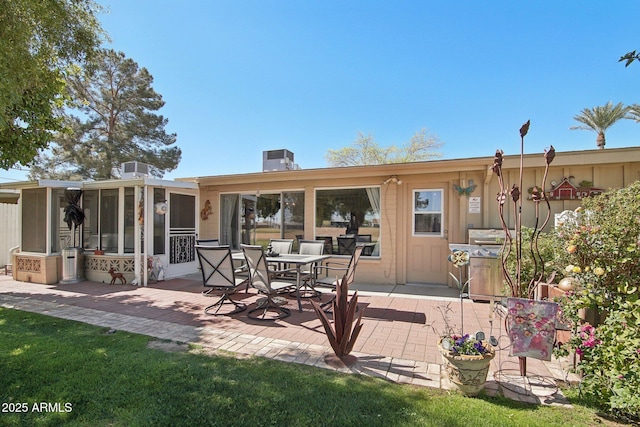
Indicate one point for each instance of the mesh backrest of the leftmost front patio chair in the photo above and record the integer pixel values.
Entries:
(217, 266)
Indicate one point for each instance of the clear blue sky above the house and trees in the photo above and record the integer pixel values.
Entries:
(239, 77)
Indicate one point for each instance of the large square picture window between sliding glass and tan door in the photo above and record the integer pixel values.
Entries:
(346, 217)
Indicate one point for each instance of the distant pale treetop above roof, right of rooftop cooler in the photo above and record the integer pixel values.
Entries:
(366, 151)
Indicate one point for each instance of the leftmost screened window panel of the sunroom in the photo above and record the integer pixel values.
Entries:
(34, 220)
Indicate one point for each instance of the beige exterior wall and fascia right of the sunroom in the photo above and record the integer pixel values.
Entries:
(610, 168)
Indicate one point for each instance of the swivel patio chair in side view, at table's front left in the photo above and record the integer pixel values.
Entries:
(260, 277)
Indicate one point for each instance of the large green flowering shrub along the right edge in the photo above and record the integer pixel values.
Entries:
(601, 250)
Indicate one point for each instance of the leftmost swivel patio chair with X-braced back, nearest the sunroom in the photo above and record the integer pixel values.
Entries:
(218, 274)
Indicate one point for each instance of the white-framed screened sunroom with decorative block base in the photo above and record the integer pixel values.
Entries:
(142, 227)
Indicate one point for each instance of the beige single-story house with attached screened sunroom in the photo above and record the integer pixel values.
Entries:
(406, 214)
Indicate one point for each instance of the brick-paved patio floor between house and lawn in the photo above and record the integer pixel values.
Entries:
(397, 342)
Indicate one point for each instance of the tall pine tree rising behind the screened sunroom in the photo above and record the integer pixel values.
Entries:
(113, 122)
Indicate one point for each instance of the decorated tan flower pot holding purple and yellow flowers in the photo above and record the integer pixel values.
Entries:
(467, 373)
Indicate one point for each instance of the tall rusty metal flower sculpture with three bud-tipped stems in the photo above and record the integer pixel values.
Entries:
(516, 288)
